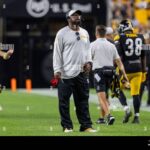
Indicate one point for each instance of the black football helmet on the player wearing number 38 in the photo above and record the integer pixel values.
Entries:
(125, 25)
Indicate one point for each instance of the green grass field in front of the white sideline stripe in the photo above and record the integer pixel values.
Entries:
(25, 114)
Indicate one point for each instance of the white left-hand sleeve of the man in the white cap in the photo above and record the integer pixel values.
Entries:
(57, 53)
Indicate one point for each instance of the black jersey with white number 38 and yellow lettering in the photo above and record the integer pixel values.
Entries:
(129, 47)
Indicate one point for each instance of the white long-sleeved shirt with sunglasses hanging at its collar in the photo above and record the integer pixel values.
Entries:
(71, 52)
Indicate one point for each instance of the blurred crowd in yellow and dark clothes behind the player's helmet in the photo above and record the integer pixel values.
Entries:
(136, 10)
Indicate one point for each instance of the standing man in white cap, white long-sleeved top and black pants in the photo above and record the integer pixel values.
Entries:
(71, 63)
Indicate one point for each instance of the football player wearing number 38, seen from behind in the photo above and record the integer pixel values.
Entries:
(129, 46)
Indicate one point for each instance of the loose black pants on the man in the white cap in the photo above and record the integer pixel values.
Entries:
(79, 86)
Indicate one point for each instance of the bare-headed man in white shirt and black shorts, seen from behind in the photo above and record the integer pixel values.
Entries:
(104, 54)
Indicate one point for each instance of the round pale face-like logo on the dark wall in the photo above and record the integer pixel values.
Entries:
(37, 8)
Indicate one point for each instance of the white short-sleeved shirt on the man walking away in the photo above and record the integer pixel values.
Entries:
(103, 53)
